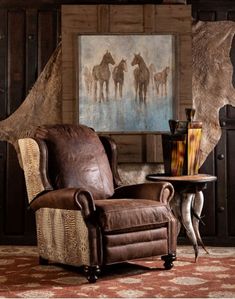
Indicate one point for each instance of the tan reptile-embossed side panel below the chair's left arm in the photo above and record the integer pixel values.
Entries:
(62, 236)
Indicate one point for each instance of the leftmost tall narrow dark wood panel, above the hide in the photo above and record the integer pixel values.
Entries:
(16, 59)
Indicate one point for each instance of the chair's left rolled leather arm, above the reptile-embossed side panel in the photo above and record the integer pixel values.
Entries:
(68, 199)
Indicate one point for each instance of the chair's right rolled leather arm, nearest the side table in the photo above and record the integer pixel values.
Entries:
(161, 191)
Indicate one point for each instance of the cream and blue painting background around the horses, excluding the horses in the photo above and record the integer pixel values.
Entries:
(126, 114)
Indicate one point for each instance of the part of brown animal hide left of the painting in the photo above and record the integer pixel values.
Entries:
(41, 106)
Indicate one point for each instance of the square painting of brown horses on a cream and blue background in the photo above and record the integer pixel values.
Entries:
(126, 83)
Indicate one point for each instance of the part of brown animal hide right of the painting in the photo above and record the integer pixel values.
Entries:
(212, 81)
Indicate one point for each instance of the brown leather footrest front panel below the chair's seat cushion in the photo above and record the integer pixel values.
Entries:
(133, 245)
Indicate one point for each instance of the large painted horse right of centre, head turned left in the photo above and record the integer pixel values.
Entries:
(141, 77)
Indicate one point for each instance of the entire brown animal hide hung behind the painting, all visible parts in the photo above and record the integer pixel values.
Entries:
(212, 89)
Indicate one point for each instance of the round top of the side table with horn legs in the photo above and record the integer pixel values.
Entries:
(197, 178)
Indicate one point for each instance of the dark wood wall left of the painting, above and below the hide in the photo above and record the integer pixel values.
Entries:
(28, 37)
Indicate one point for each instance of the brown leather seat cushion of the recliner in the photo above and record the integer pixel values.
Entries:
(119, 215)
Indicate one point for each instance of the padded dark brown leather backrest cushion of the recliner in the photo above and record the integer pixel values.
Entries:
(76, 158)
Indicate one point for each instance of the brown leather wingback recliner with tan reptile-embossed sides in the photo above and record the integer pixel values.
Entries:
(84, 217)
